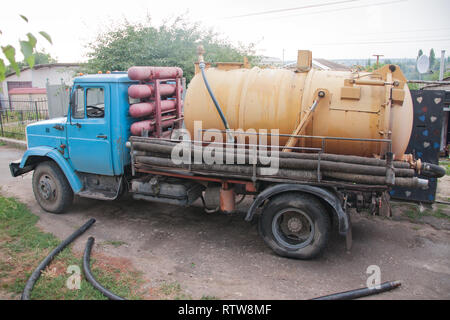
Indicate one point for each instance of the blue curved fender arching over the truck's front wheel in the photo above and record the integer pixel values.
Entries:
(54, 154)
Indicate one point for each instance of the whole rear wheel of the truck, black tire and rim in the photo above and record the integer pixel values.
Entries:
(295, 225)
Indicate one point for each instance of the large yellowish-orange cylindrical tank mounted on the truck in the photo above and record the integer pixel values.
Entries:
(374, 105)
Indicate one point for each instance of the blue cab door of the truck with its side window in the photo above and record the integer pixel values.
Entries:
(89, 130)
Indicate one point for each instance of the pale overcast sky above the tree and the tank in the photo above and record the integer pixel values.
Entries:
(331, 29)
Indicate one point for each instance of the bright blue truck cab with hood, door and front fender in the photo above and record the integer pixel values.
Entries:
(89, 144)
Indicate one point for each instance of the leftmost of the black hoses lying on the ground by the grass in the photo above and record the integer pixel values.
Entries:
(37, 272)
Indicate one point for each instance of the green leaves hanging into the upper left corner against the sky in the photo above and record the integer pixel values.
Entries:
(28, 49)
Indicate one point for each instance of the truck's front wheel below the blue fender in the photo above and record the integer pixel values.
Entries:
(51, 188)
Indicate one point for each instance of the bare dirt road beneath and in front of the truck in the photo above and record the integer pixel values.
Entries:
(223, 256)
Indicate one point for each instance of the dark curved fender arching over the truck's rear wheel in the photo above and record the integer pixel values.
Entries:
(326, 195)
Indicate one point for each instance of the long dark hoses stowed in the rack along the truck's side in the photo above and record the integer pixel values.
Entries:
(158, 153)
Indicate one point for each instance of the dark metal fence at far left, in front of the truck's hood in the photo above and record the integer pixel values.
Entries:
(16, 115)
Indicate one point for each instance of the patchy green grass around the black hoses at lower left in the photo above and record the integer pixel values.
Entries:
(23, 246)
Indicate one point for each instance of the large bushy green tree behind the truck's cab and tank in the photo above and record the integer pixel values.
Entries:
(172, 44)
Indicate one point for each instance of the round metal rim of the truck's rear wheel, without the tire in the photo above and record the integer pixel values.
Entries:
(293, 228)
